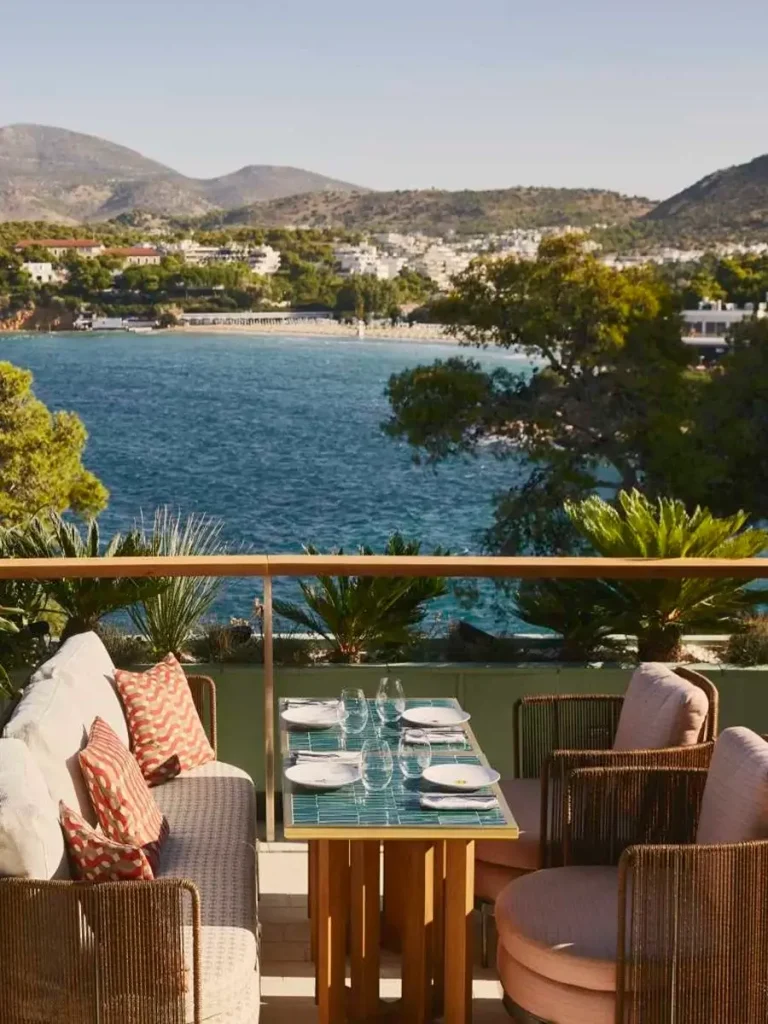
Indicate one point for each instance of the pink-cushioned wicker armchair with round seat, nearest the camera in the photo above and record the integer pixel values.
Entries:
(679, 929)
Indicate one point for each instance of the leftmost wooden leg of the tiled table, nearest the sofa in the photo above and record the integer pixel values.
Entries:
(333, 911)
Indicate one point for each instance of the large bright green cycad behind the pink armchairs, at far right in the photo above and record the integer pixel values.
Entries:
(660, 612)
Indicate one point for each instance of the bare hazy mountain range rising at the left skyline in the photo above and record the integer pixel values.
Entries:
(55, 175)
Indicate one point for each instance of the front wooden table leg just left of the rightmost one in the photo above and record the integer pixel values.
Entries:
(418, 863)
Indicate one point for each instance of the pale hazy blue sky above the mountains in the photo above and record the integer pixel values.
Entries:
(643, 97)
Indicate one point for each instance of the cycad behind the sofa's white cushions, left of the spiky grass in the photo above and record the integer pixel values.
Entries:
(82, 603)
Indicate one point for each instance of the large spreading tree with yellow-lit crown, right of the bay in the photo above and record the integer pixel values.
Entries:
(604, 407)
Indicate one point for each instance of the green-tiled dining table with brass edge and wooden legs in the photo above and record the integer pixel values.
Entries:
(429, 873)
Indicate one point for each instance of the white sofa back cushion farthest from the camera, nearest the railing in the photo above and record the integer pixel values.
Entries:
(83, 659)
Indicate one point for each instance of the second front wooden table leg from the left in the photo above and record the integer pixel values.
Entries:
(365, 927)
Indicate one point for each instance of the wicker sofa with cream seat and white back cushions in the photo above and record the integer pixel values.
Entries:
(181, 950)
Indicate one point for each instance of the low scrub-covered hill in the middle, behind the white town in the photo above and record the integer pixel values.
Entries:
(439, 212)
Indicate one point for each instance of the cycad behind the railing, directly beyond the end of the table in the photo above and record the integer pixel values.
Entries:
(358, 615)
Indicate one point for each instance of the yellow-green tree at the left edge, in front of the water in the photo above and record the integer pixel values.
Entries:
(40, 455)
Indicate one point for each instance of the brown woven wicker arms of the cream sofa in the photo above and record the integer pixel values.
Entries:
(76, 953)
